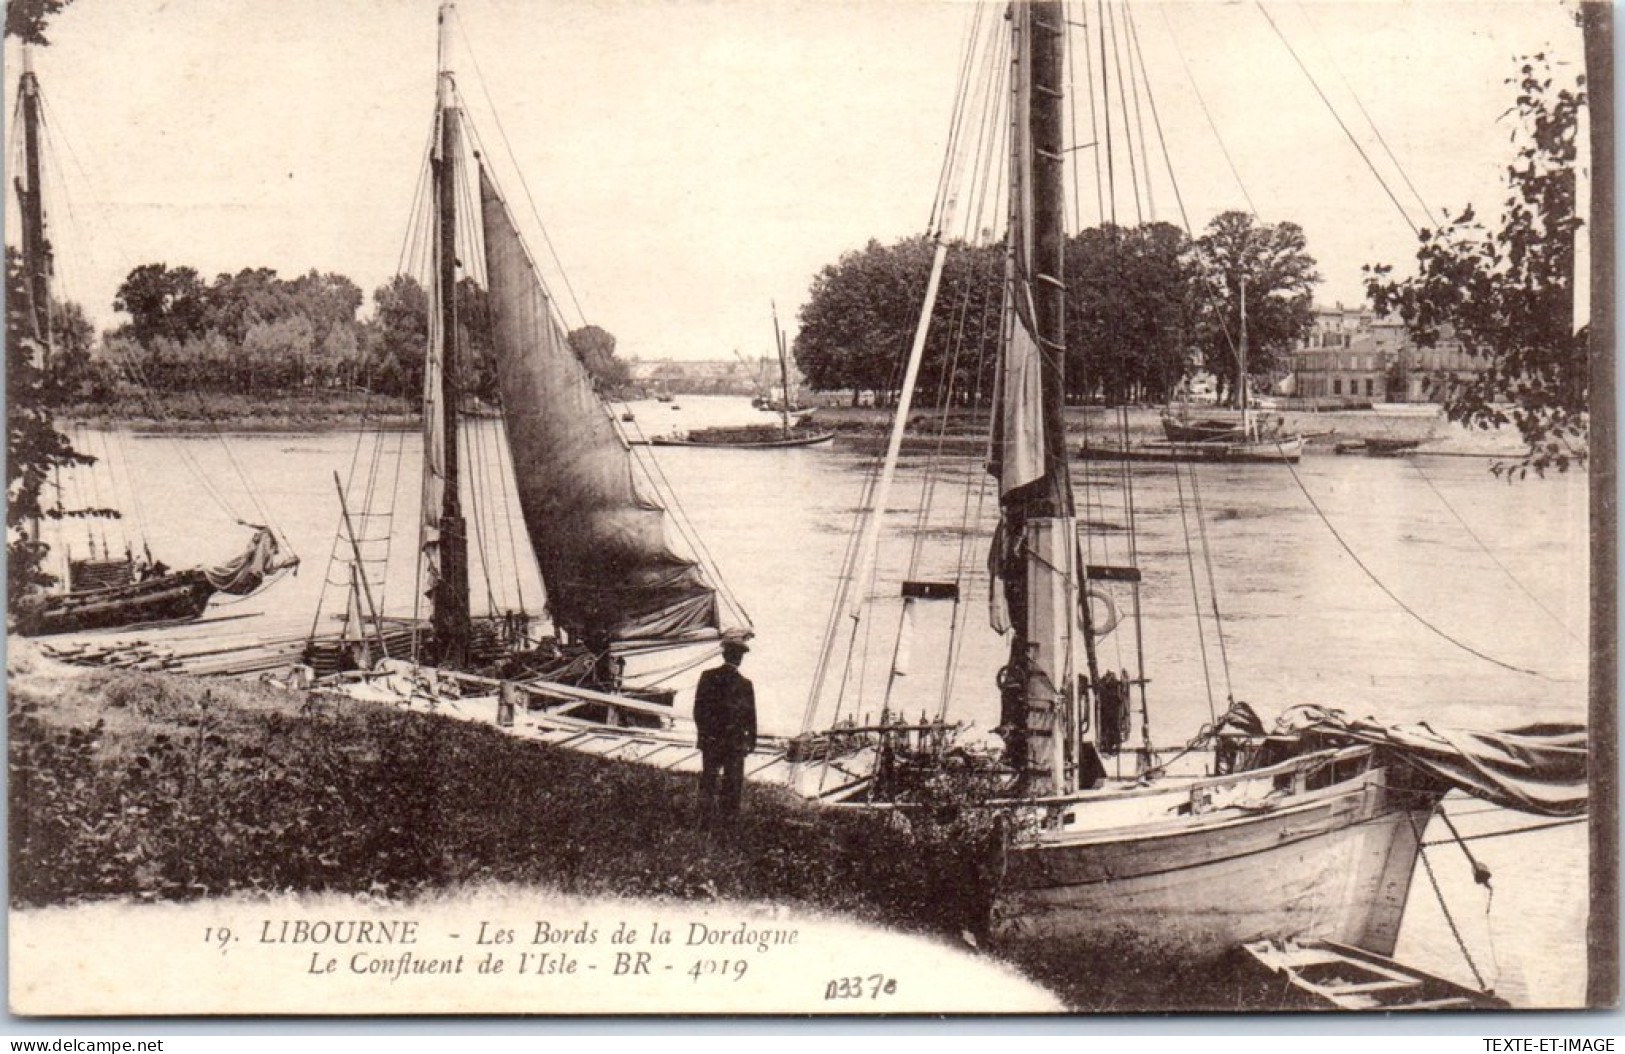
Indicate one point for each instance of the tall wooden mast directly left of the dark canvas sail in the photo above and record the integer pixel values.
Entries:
(451, 618)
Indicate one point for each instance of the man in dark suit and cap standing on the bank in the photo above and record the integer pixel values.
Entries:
(726, 714)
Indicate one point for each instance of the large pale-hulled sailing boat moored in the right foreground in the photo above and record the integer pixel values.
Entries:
(1311, 831)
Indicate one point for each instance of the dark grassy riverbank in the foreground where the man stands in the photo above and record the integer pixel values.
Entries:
(160, 788)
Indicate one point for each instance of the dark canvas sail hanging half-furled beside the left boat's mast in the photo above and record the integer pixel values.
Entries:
(600, 543)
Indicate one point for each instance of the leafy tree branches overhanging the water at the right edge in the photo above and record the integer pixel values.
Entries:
(1507, 295)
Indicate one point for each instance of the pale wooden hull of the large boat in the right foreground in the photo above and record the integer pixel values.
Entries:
(1332, 865)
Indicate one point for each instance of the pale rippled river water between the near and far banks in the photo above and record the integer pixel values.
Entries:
(1410, 589)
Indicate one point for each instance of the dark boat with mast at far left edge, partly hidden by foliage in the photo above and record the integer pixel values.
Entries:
(110, 592)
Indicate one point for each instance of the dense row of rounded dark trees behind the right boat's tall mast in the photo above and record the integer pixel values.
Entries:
(1145, 306)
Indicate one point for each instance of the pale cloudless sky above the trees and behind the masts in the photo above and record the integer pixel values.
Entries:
(696, 163)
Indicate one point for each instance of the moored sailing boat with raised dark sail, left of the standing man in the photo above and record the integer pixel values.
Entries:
(617, 589)
